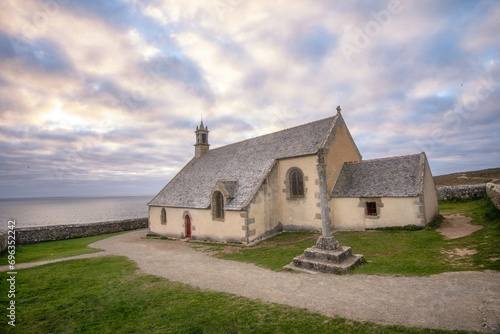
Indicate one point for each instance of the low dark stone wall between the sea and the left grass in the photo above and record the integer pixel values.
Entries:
(31, 235)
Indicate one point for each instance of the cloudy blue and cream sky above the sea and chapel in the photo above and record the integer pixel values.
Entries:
(102, 97)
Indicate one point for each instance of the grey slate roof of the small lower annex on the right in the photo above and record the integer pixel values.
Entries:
(389, 177)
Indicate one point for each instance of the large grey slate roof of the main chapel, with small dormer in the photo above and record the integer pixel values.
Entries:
(247, 162)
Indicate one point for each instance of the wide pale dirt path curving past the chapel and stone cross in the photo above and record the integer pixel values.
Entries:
(465, 300)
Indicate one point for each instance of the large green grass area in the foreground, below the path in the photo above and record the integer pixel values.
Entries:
(109, 295)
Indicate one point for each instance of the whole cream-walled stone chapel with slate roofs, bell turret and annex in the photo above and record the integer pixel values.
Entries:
(264, 185)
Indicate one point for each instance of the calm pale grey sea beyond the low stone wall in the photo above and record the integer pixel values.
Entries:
(29, 212)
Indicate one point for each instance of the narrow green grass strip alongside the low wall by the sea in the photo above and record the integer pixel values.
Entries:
(51, 250)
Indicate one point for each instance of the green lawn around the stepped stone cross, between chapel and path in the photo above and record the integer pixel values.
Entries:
(412, 253)
